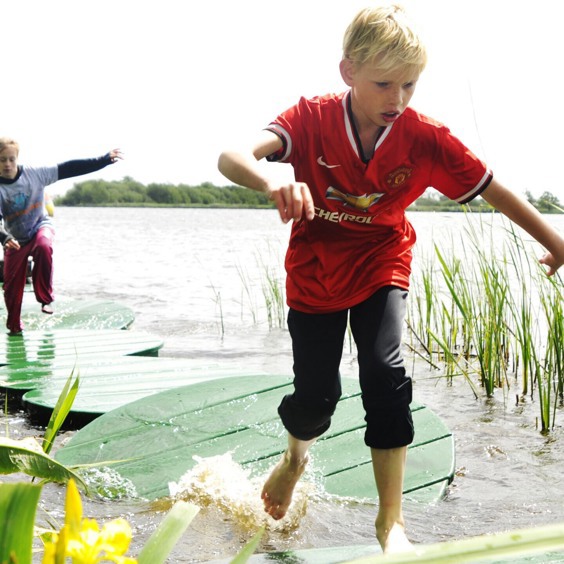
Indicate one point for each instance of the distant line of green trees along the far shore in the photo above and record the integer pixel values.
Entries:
(131, 193)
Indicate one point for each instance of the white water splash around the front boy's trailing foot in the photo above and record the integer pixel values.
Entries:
(220, 481)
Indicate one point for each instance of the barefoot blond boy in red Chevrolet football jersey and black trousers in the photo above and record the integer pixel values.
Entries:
(360, 158)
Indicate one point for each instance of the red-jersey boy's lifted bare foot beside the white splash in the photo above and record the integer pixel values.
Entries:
(279, 487)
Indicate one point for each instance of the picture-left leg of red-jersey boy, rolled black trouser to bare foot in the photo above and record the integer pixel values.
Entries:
(317, 344)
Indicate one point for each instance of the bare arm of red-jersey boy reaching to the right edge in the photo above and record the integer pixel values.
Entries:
(531, 220)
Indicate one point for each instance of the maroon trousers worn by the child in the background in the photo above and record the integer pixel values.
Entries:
(40, 249)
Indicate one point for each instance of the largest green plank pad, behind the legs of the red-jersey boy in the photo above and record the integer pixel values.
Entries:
(157, 437)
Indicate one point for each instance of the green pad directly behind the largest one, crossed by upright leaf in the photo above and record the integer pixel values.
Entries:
(105, 383)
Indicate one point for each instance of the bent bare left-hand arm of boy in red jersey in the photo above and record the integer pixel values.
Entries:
(292, 200)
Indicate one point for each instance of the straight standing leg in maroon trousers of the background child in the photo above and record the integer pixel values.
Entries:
(15, 274)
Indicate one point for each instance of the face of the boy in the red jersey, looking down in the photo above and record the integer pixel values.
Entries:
(379, 96)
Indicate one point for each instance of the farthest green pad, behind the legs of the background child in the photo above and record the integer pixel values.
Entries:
(74, 314)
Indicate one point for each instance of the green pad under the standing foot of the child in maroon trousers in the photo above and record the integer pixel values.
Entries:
(44, 346)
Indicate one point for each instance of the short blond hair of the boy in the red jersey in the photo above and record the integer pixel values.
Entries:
(384, 35)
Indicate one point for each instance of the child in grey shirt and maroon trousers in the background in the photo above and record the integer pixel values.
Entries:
(27, 229)
